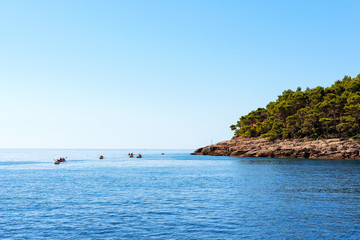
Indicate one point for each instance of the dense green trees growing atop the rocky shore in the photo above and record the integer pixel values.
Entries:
(315, 113)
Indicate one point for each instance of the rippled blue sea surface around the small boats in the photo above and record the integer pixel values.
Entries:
(175, 196)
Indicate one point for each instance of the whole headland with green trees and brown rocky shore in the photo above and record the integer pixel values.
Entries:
(315, 123)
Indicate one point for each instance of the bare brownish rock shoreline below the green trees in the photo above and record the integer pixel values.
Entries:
(335, 148)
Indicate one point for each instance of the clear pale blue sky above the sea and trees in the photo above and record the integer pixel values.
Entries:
(160, 74)
